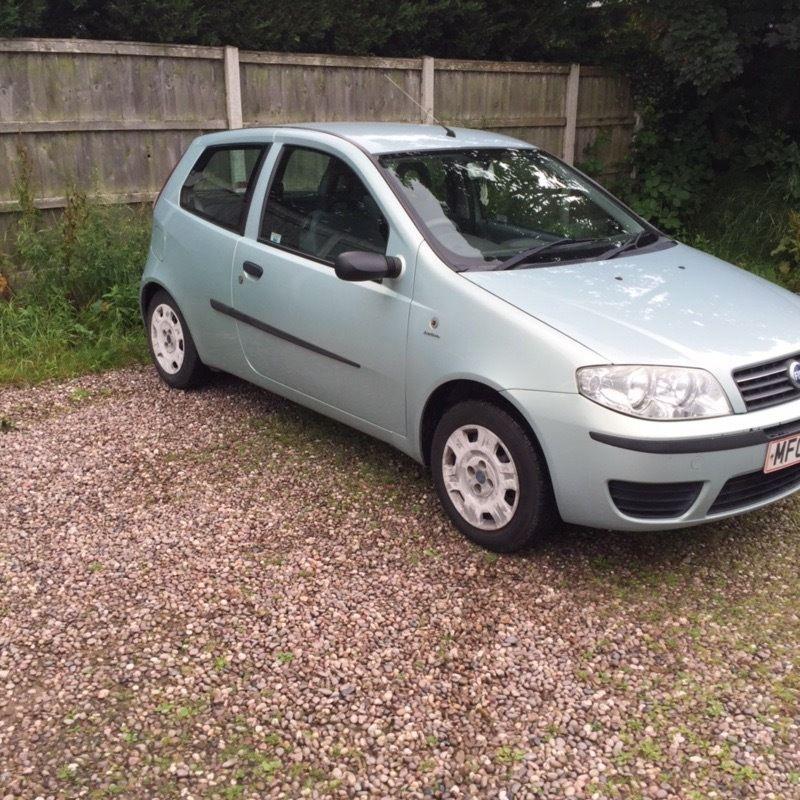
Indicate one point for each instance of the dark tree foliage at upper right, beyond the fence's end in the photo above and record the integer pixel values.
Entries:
(716, 83)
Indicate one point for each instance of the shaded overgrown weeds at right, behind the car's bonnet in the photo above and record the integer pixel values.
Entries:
(747, 214)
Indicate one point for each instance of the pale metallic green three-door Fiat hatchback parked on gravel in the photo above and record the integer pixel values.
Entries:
(489, 311)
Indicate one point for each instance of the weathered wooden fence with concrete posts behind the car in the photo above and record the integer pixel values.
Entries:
(112, 118)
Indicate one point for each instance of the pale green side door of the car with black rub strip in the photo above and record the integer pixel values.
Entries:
(340, 343)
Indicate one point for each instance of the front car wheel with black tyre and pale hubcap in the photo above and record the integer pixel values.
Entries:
(490, 477)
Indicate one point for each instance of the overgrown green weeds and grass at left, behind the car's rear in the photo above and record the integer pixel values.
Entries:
(75, 309)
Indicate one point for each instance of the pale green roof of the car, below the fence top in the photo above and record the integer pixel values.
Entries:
(391, 137)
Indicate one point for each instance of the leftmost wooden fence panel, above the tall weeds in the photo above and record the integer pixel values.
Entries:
(101, 116)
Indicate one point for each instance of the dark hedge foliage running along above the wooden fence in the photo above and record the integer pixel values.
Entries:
(460, 28)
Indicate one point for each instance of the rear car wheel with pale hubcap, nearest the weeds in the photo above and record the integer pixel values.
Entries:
(171, 345)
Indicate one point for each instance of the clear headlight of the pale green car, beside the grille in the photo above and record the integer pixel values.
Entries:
(655, 392)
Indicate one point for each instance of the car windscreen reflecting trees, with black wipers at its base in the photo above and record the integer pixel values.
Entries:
(483, 207)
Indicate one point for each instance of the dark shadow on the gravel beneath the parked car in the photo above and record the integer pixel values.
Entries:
(657, 558)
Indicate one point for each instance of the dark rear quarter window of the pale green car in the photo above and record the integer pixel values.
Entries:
(220, 184)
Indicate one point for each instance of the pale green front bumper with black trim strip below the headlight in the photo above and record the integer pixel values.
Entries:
(587, 446)
